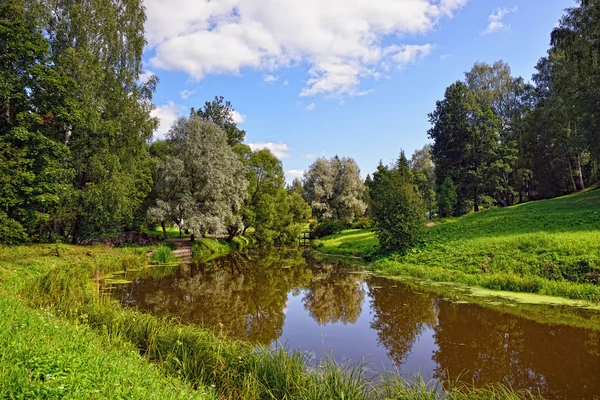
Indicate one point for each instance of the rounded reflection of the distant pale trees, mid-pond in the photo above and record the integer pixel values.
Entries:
(334, 295)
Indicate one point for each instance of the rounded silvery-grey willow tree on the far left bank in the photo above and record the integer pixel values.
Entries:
(206, 181)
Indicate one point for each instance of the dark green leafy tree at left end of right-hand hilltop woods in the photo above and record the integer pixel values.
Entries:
(464, 130)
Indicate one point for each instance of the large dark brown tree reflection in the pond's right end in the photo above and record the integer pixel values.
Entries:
(483, 346)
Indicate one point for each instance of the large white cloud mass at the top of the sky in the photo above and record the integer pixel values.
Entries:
(342, 41)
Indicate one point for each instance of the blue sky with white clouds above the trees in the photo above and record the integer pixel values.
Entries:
(316, 78)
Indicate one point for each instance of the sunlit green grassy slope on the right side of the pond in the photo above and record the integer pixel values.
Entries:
(549, 247)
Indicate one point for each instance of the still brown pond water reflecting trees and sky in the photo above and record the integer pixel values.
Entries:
(318, 307)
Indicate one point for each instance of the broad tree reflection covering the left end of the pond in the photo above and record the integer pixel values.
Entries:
(239, 295)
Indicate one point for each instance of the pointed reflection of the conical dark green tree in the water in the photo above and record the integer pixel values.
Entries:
(400, 316)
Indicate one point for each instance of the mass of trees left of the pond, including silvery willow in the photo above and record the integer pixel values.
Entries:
(77, 159)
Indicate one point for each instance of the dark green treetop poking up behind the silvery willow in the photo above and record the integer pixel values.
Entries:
(221, 113)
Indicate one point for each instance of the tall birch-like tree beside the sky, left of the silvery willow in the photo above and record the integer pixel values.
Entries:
(97, 46)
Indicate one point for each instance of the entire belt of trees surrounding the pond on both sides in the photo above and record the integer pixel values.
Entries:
(77, 160)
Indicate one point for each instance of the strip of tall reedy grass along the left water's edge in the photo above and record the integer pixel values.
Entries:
(235, 369)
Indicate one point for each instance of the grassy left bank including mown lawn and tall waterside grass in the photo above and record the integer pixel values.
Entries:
(59, 334)
